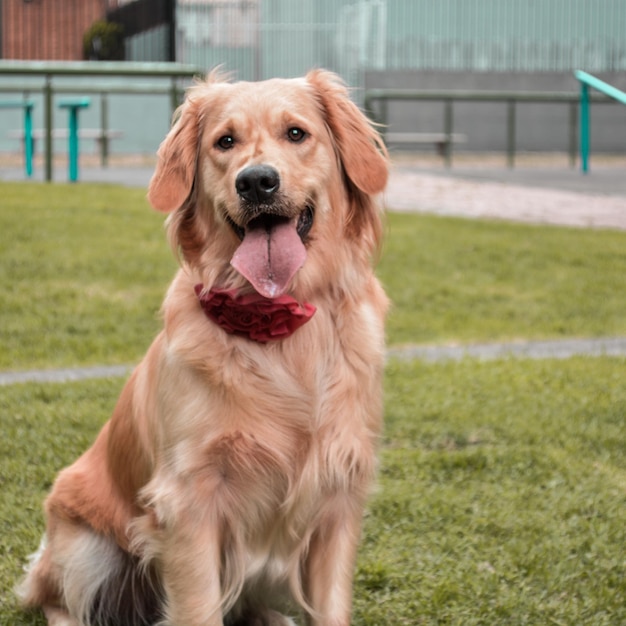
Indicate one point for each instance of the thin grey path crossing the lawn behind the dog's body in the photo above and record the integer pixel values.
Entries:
(554, 349)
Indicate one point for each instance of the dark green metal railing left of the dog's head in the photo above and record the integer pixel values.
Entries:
(49, 71)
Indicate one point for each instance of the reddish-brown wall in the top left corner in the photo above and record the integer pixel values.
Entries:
(47, 29)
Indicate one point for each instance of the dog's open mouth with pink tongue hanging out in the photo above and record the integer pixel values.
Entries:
(272, 249)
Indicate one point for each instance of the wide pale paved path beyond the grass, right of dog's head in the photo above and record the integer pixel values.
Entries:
(562, 197)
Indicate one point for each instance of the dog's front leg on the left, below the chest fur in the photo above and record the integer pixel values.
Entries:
(190, 557)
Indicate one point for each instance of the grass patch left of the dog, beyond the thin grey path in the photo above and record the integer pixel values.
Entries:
(83, 271)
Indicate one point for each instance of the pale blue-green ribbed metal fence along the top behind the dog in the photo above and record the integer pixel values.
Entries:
(261, 38)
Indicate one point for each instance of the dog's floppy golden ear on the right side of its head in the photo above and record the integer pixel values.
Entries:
(361, 150)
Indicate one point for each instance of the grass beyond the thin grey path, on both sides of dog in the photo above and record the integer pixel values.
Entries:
(84, 268)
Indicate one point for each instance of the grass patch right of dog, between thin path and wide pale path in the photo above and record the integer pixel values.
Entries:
(474, 280)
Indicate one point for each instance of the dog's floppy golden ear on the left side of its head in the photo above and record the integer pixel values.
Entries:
(173, 178)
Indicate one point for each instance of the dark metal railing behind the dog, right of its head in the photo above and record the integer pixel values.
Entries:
(511, 98)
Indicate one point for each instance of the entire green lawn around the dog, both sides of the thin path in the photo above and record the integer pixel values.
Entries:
(502, 486)
